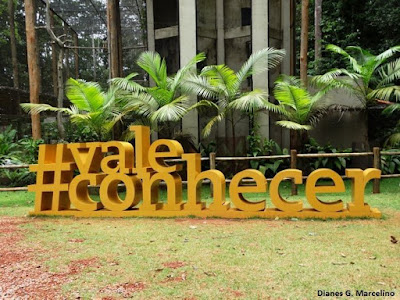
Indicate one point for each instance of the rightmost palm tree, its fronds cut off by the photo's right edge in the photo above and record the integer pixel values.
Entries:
(369, 77)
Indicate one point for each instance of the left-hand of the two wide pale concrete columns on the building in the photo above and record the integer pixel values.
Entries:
(188, 47)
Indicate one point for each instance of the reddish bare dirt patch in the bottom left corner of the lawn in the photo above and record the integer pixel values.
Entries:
(21, 274)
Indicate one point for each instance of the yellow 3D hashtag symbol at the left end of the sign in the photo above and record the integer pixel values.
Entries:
(54, 172)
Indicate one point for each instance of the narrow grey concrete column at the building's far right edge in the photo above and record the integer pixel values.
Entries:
(286, 22)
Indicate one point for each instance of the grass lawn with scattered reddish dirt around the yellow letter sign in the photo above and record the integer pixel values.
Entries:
(148, 258)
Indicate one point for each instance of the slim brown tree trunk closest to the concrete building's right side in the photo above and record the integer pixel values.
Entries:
(304, 41)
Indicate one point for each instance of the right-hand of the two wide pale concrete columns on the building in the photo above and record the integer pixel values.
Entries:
(259, 40)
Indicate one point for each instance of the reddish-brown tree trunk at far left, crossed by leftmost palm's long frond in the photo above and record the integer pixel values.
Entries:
(33, 63)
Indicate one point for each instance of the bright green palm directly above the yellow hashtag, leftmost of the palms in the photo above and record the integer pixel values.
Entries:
(91, 107)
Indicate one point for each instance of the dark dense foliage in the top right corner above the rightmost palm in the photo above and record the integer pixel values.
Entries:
(372, 25)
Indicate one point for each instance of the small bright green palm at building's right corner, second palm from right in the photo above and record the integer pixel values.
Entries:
(300, 109)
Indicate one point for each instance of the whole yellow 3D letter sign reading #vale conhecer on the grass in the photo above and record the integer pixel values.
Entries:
(64, 173)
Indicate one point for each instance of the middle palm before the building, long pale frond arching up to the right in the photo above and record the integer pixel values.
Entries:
(223, 88)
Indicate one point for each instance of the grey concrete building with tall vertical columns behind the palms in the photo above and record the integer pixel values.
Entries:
(228, 31)
